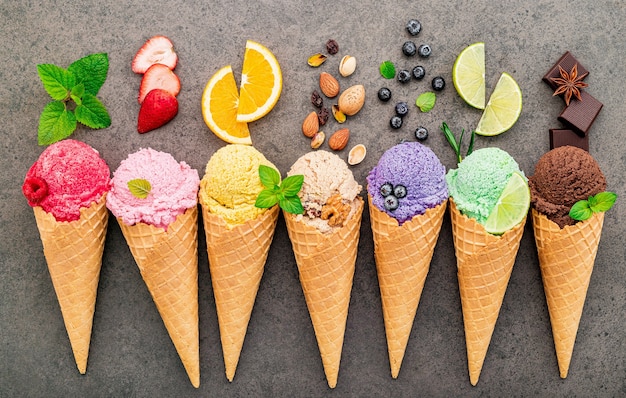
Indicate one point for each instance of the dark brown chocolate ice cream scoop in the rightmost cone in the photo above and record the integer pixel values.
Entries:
(562, 177)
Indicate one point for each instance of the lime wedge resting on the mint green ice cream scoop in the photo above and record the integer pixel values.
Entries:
(512, 206)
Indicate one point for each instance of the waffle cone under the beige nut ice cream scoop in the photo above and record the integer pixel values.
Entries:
(326, 264)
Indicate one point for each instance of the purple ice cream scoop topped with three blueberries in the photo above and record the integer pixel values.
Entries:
(408, 180)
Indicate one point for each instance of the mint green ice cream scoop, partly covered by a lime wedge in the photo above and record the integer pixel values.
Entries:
(479, 180)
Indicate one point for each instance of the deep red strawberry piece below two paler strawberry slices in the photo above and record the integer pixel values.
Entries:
(158, 108)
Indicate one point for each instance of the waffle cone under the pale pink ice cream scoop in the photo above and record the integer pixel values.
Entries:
(168, 262)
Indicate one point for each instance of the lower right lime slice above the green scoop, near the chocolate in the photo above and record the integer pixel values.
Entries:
(503, 108)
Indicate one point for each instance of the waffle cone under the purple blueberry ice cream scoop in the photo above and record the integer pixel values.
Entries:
(403, 255)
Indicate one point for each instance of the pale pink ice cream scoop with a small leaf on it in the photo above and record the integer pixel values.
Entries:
(173, 188)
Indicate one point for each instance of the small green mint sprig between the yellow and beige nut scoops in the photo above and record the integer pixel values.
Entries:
(285, 193)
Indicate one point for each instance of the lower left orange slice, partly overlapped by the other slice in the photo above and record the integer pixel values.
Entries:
(220, 101)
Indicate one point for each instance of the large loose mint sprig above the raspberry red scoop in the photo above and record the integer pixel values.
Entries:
(73, 92)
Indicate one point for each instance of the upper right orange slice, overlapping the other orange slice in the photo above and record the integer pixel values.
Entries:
(261, 83)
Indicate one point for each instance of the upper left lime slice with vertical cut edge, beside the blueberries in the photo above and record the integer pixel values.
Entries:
(468, 75)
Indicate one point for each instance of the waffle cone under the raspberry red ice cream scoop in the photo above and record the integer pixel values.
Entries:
(73, 251)
